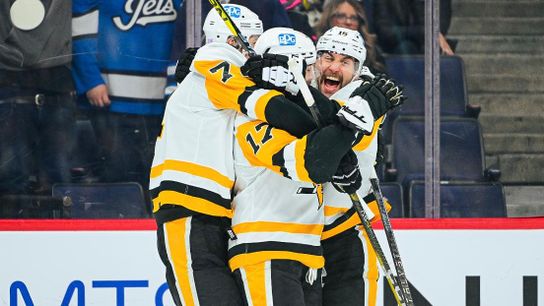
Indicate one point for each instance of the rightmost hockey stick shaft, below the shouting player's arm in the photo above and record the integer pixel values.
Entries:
(401, 275)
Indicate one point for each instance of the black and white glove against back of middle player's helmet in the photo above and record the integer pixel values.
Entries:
(270, 71)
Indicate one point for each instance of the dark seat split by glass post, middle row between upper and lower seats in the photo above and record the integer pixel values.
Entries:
(461, 150)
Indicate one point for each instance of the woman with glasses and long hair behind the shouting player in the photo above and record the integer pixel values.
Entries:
(350, 14)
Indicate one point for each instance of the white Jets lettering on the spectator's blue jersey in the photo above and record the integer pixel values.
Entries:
(143, 12)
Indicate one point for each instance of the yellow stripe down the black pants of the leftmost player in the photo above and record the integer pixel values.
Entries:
(177, 234)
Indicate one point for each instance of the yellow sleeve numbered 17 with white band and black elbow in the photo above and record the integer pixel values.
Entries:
(312, 158)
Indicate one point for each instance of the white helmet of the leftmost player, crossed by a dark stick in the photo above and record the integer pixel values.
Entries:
(247, 22)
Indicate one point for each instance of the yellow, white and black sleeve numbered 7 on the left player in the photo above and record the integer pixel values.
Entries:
(227, 88)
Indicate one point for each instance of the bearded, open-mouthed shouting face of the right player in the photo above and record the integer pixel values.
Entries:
(335, 71)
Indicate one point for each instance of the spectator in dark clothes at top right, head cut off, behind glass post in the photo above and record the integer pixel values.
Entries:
(400, 26)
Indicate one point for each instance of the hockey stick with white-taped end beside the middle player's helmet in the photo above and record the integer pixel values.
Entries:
(365, 214)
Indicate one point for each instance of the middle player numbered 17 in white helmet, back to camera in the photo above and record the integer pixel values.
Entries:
(276, 224)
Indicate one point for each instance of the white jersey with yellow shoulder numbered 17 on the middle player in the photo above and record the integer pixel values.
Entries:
(274, 217)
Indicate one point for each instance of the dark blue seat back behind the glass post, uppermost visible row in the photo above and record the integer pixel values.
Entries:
(409, 71)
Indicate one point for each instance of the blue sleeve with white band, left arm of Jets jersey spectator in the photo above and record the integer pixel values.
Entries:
(86, 73)
